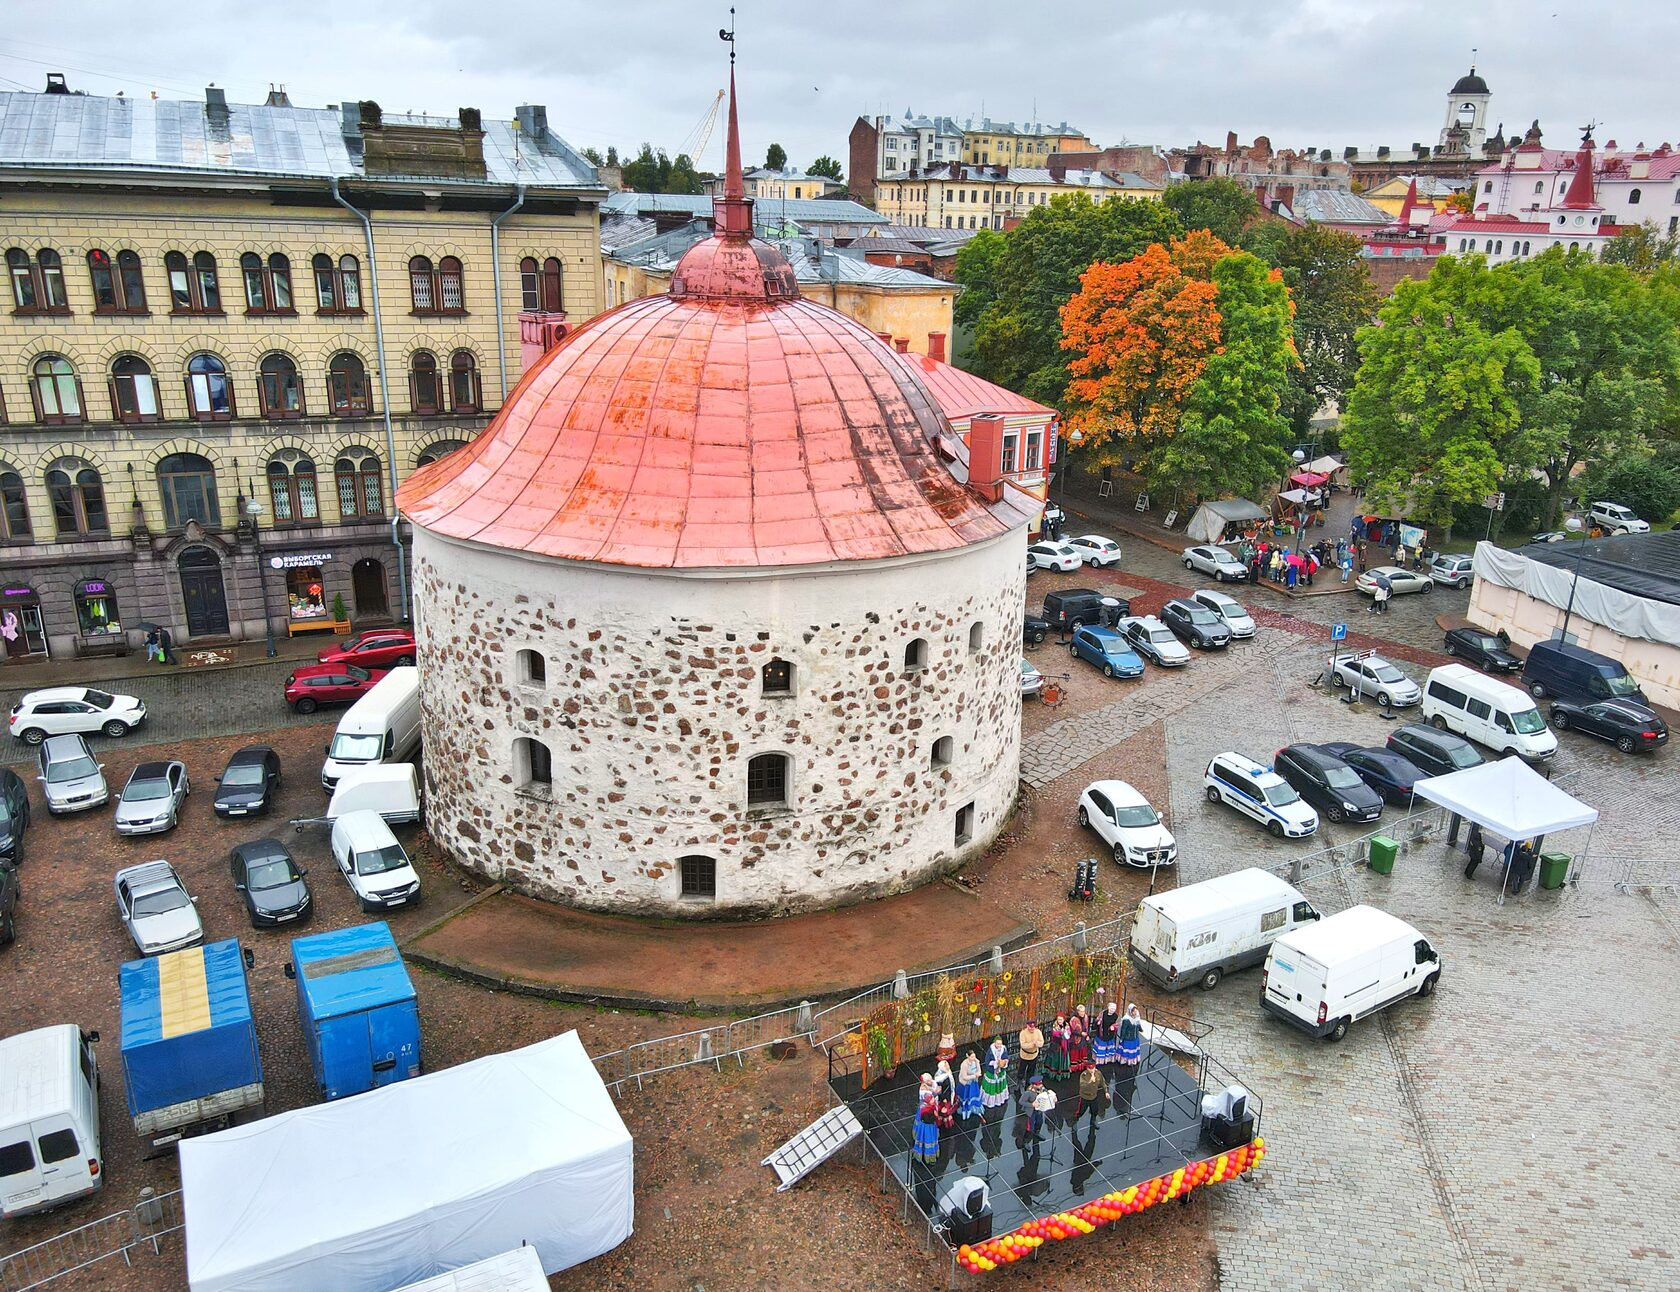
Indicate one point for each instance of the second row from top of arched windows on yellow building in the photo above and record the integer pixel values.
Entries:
(56, 391)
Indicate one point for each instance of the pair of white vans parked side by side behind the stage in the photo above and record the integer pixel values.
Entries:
(1323, 974)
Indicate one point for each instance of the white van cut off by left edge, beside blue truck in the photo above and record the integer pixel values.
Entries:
(50, 1118)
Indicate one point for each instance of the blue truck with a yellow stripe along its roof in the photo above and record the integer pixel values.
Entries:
(191, 1058)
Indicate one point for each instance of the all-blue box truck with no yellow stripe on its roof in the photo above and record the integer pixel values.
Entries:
(359, 1009)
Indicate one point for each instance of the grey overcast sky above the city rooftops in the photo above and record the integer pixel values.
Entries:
(1306, 73)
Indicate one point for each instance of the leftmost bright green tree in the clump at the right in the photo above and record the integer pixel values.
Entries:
(1436, 414)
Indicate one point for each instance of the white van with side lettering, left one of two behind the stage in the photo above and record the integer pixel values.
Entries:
(1204, 932)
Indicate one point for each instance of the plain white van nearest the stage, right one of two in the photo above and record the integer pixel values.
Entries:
(1353, 964)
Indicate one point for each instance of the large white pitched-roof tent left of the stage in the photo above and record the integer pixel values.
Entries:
(414, 1180)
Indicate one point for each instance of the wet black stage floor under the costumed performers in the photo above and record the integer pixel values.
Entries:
(1140, 1128)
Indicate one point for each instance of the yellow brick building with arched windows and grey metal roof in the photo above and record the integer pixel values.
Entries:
(233, 330)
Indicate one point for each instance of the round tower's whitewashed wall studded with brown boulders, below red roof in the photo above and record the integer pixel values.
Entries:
(653, 705)
